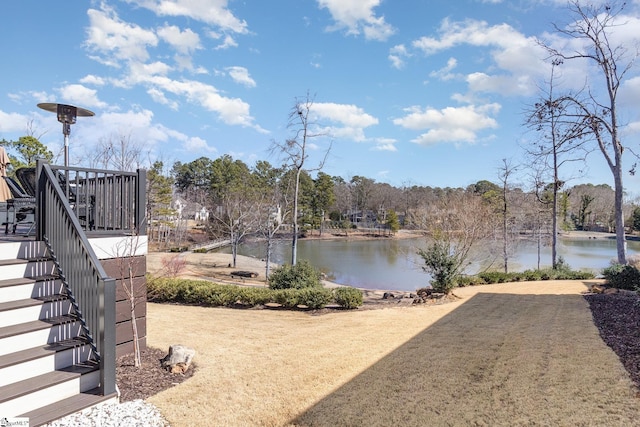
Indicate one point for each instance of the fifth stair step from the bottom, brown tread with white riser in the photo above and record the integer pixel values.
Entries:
(25, 310)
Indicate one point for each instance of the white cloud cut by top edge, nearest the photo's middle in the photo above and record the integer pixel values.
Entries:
(357, 17)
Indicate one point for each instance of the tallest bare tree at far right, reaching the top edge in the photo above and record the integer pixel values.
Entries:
(593, 28)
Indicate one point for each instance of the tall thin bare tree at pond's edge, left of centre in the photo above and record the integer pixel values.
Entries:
(296, 152)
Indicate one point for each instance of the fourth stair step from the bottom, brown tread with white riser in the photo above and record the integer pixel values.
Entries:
(38, 332)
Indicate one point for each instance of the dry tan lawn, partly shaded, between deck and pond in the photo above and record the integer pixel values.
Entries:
(522, 354)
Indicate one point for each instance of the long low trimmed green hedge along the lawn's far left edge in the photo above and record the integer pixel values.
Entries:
(200, 292)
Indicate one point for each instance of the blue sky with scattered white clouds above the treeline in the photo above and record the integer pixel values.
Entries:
(429, 93)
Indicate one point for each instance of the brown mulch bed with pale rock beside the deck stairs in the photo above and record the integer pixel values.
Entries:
(148, 379)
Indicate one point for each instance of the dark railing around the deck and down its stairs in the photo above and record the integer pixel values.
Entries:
(88, 201)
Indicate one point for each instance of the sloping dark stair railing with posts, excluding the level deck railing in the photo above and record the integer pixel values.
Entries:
(93, 290)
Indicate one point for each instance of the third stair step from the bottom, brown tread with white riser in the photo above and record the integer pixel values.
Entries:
(24, 364)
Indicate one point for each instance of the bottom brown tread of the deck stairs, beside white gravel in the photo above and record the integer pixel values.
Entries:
(68, 406)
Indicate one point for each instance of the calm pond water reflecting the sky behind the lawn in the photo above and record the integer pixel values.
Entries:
(394, 264)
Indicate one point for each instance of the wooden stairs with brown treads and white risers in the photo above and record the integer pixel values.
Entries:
(47, 367)
